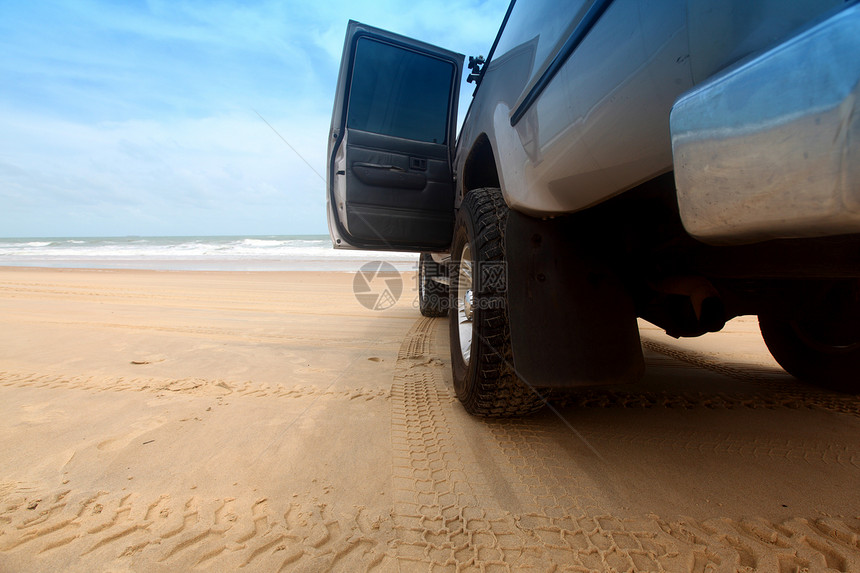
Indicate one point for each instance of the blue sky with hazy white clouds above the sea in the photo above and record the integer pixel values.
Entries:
(141, 117)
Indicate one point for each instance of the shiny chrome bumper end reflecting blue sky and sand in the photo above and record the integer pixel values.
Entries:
(771, 148)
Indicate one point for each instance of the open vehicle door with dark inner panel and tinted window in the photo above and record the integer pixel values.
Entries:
(390, 149)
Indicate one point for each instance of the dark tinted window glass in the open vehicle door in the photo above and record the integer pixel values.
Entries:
(399, 92)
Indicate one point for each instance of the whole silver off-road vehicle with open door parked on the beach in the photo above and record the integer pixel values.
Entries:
(682, 161)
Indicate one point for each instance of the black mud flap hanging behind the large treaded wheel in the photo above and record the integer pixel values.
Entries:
(572, 322)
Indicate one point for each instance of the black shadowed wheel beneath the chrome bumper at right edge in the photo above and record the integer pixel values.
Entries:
(823, 346)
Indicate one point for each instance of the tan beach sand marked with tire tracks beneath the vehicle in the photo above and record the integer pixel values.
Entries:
(179, 421)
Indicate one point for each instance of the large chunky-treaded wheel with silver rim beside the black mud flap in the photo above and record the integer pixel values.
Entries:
(481, 359)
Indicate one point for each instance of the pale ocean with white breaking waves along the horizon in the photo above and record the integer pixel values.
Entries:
(238, 253)
